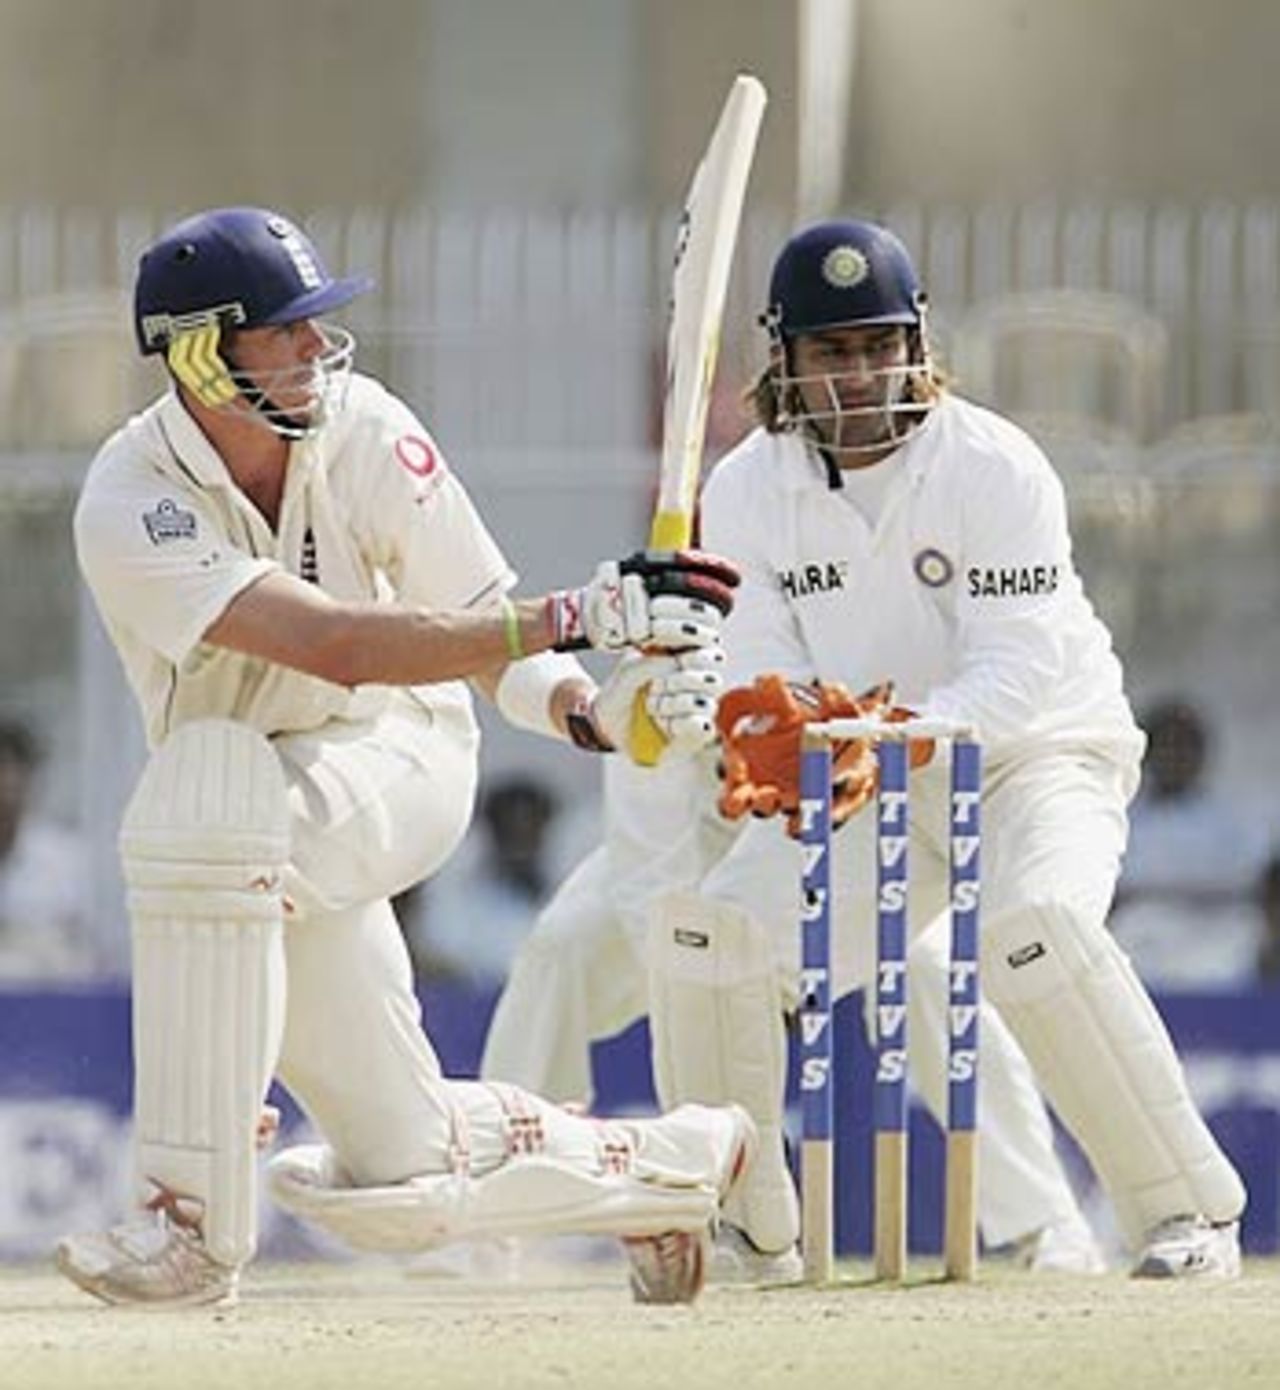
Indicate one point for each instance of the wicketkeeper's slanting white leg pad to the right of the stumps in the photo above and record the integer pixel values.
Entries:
(1108, 1067)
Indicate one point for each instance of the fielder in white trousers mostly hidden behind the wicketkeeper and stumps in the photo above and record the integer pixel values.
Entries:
(580, 976)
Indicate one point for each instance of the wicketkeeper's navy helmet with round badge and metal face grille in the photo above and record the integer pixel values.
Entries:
(847, 275)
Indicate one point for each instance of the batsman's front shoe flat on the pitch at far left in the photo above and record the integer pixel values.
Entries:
(155, 1261)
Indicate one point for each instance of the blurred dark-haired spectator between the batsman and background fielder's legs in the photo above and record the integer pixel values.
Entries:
(473, 918)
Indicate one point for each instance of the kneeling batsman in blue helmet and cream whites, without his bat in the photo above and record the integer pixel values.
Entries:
(300, 587)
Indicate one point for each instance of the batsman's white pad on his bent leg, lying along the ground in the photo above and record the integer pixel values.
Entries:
(643, 1178)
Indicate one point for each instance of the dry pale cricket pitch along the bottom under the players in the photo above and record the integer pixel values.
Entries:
(564, 1327)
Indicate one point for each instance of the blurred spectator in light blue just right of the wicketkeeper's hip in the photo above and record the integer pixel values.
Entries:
(1188, 901)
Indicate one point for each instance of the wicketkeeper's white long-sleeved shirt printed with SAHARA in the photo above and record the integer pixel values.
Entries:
(964, 593)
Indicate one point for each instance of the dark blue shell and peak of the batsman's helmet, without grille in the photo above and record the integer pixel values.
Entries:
(243, 268)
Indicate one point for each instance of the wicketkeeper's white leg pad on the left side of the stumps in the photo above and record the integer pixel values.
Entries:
(719, 1036)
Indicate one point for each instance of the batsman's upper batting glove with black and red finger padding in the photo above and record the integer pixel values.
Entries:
(672, 600)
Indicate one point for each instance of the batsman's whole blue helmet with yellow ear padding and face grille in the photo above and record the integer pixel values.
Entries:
(244, 268)
